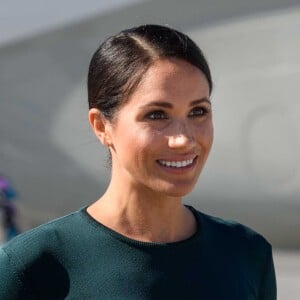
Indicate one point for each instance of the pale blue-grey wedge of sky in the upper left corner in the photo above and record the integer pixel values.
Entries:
(24, 19)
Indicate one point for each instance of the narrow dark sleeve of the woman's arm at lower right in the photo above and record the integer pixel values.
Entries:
(268, 288)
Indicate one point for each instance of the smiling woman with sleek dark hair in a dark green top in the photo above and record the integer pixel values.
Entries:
(149, 97)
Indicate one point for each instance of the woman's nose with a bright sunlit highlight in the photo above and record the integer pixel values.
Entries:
(181, 138)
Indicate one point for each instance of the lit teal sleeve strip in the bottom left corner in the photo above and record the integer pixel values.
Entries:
(10, 285)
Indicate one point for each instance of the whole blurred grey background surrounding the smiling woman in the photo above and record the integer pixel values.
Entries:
(53, 164)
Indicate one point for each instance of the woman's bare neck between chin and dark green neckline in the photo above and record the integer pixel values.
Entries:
(144, 215)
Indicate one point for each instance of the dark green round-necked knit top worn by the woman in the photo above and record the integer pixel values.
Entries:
(76, 257)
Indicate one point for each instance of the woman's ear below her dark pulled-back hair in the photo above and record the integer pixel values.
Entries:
(100, 125)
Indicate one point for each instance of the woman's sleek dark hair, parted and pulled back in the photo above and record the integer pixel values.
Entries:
(120, 62)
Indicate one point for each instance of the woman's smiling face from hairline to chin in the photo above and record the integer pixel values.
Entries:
(162, 135)
